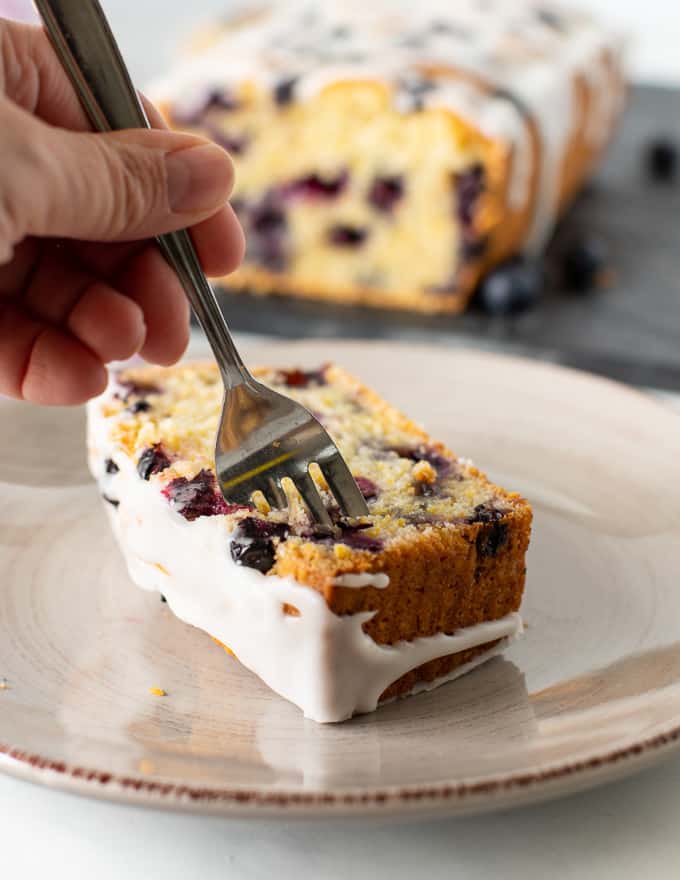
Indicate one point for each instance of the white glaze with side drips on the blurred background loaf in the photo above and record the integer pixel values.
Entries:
(502, 42)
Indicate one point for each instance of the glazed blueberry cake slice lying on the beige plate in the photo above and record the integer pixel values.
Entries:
(422, 589)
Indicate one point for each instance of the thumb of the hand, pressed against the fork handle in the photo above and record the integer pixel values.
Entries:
(116, 186)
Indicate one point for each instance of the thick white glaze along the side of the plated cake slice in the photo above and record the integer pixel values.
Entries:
(324, 663)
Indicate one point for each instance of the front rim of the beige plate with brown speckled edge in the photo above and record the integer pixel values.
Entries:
(448, 798)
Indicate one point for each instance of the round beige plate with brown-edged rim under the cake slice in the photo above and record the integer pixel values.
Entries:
(590, 694)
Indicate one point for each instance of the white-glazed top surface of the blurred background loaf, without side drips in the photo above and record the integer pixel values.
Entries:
(302, 44)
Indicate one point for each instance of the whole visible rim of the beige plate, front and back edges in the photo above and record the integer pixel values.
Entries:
(553, 779)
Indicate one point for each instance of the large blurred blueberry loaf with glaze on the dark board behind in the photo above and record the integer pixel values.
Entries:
(389, 153)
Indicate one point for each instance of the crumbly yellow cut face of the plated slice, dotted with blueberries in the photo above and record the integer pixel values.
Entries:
(165, 421)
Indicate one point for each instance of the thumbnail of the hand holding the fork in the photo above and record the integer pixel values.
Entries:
(199, 178)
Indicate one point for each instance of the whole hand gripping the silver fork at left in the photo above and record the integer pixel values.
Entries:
(80, 282)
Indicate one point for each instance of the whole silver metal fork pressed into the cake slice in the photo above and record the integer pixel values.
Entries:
(263, 436)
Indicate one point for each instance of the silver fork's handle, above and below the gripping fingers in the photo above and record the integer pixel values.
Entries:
(88, 52)
